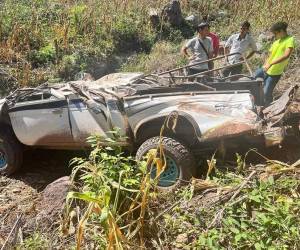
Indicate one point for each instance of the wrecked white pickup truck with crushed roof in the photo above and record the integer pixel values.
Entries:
(62, 116)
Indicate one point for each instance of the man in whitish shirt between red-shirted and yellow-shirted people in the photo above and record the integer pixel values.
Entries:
(239, 43)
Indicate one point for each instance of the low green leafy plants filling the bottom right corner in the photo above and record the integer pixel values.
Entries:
(266, 218)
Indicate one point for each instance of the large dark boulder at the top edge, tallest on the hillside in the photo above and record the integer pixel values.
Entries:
(171, 13)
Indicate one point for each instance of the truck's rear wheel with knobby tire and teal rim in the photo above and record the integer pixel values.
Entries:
(181, 165)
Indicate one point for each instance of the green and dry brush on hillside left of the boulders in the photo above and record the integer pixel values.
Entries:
(45, 39)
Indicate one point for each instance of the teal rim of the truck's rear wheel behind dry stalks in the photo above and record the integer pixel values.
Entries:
(169, 176)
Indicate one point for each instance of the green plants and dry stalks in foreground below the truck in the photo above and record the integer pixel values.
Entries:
(256, 209)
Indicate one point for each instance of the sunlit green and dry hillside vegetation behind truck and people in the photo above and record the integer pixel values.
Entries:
(41, 39)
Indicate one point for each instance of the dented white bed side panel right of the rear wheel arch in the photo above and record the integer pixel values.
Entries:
(234, 117)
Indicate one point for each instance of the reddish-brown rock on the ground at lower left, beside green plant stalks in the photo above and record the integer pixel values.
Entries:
(52, 202)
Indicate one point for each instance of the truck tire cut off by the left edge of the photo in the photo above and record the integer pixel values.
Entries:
(11, 153)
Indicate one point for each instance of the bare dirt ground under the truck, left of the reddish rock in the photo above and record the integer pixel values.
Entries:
(19, 193)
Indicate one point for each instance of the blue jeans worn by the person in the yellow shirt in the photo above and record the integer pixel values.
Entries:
(269, 84)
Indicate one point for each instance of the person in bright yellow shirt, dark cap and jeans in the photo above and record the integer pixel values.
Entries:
(277, 60)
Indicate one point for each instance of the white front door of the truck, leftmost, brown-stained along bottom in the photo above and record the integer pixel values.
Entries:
(41, 119)
